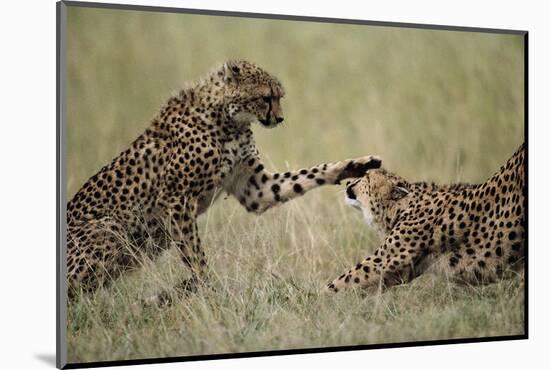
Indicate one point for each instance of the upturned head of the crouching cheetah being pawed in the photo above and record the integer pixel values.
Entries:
(376, 195)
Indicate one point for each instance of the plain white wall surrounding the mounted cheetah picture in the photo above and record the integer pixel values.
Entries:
(27, 182)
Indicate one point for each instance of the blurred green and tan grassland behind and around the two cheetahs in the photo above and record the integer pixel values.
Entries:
(436, 105)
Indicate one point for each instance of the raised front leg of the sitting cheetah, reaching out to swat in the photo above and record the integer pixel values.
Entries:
(258, 190)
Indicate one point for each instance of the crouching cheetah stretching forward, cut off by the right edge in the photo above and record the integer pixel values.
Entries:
(474, 231)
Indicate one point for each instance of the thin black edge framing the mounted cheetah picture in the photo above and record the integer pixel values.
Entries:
(61, 314)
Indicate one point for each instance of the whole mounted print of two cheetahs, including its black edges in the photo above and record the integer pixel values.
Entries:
(234, 184)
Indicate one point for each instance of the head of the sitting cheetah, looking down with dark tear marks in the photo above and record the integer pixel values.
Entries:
(252, 94)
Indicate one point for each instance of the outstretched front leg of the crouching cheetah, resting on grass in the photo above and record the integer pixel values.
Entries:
(397, 261)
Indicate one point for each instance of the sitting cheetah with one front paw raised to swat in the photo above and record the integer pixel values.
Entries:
(200, 144)
